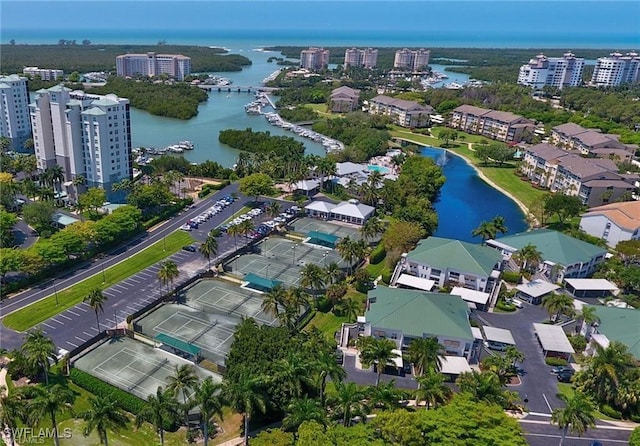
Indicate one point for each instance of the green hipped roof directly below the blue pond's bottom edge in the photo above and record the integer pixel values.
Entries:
(444, 253)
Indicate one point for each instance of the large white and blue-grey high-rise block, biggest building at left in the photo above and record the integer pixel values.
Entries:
(87, 135)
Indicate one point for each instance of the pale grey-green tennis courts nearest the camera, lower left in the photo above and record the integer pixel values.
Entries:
(133, 366)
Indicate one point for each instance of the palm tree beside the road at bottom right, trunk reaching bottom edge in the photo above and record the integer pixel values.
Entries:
(577, 415)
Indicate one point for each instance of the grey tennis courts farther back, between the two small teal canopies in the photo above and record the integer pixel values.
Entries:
(282, 259)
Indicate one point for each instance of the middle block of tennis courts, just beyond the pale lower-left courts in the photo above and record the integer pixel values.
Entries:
(208, 317)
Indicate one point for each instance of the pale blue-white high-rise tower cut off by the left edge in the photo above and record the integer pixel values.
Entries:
(14, 110)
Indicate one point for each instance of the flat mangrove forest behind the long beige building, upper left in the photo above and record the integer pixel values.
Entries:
(85, 58)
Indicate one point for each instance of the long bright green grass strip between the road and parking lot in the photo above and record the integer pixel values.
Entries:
(43, 309)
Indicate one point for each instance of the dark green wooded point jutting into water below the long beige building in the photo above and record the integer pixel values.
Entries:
(171, 100)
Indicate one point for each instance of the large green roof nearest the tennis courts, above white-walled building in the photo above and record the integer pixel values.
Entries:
(417, 313)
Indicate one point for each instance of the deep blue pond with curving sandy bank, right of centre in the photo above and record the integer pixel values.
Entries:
(466, 200)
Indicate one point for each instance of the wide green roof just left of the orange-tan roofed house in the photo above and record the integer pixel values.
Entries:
(554, 246)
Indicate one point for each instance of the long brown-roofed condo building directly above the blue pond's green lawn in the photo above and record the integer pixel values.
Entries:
(499, 125)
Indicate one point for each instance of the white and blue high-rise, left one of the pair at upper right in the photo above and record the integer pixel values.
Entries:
(559, 72)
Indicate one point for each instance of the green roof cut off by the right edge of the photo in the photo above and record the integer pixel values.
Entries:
(621, 324)
